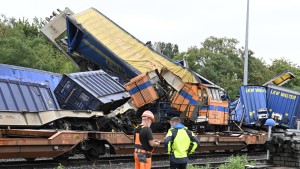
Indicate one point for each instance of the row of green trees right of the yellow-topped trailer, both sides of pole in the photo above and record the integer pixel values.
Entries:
(222, 62)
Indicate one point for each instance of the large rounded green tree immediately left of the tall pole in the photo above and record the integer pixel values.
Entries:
(220, 61)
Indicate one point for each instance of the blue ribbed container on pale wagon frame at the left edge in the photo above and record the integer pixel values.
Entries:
(32, 104)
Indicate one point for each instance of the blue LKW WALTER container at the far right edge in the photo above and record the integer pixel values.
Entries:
(283, 105)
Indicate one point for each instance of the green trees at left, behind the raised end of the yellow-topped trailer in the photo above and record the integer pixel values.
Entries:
(23, 45)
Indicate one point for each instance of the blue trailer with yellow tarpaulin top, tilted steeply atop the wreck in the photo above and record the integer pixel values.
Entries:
(100, 40)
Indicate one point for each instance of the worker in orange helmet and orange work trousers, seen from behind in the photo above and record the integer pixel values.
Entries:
(144, 143)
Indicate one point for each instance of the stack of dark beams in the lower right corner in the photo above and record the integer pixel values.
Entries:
(285, 148)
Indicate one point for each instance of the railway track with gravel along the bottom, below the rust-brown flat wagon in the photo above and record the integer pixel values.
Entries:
(113, 161)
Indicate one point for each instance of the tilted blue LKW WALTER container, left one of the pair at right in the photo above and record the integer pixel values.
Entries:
(252, 108)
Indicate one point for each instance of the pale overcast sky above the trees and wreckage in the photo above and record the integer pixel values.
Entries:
(274, 26)
